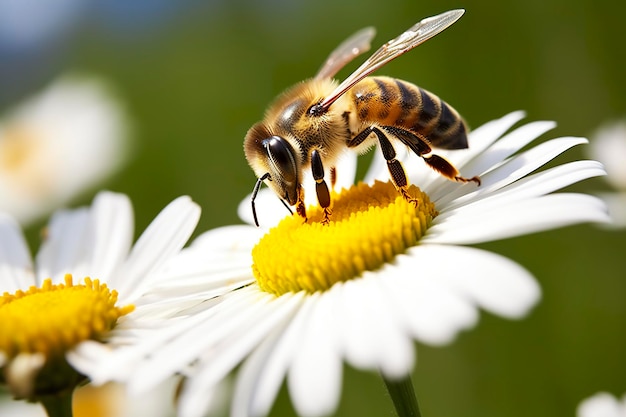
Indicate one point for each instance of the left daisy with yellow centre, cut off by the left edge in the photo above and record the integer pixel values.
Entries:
(86, 277)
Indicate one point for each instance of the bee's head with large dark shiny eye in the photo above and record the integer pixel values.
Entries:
(275, 161)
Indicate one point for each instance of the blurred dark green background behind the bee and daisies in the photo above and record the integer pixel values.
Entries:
(198, 75)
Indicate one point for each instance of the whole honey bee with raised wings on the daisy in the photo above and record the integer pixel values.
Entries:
(313, 122)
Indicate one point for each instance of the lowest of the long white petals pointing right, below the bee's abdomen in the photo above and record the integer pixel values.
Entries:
(518, 218)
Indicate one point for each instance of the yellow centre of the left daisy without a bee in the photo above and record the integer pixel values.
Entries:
(54, 318)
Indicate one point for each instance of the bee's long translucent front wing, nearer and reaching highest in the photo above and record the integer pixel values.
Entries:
(414, 36)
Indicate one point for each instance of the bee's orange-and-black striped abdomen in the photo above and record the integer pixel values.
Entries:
(393, 102)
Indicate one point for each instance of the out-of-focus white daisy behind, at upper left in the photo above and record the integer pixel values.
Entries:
(57, 144)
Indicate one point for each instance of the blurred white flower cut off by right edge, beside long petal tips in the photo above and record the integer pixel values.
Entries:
(608, 145)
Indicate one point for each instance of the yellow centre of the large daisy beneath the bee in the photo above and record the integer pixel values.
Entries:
(370, 225)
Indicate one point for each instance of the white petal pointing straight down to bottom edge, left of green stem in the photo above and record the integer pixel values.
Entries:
(316, 372)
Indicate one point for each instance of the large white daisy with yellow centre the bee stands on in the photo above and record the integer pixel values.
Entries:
(299, 299)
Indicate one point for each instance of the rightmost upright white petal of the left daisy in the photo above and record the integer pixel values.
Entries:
(164, 237)
